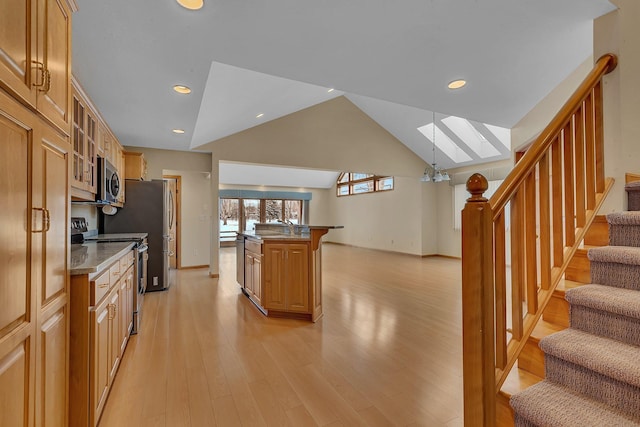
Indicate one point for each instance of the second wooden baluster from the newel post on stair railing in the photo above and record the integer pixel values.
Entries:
(517, 264)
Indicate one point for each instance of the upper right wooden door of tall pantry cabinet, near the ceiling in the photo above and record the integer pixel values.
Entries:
(54, 53)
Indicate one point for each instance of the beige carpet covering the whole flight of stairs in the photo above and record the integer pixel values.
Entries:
(592, 369)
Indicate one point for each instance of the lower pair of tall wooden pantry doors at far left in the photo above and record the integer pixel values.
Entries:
(34, 317)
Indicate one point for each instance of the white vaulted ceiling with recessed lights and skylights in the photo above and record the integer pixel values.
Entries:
(391, 59)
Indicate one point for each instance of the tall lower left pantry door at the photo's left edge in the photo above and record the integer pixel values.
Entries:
(17, 292)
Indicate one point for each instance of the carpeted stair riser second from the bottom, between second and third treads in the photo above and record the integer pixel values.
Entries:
(621, 328)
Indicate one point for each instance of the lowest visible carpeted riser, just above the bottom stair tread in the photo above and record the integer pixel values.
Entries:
(614, 393)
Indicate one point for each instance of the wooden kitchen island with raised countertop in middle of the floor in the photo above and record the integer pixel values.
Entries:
(282, 269)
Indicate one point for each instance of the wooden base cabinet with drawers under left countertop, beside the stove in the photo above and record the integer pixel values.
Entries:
(102, 317)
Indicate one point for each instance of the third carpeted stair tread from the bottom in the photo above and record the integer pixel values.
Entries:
(625, 302)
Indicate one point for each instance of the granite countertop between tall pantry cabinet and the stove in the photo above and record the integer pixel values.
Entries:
(93, 257)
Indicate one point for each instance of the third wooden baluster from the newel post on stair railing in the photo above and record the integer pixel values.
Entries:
(530, 224)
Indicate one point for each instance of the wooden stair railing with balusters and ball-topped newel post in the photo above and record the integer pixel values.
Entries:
(516, 245)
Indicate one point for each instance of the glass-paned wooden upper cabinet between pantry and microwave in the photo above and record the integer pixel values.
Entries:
(84, 137)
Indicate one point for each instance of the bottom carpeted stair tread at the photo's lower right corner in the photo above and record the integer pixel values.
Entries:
(550, 404)
